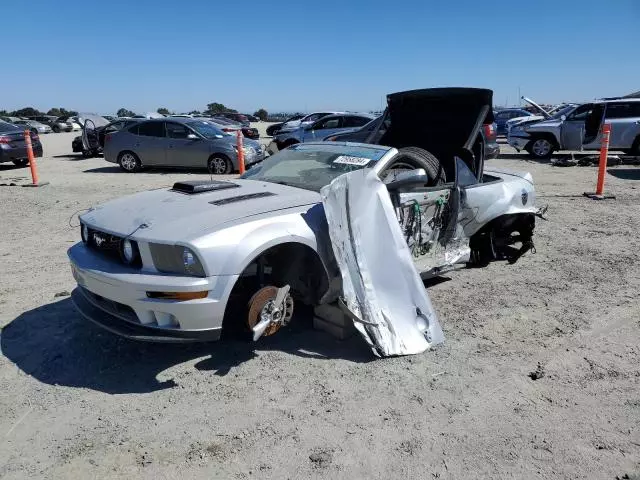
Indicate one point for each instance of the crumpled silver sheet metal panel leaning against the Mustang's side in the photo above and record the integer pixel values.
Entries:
(381, 286)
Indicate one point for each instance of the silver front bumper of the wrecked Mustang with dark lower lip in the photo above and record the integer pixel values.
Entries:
(115, 296)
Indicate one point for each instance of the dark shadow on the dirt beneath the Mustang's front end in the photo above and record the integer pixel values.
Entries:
(53, 344)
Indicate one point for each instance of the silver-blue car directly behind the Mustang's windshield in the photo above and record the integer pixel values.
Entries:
(326, 126)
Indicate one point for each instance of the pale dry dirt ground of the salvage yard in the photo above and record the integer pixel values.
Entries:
(78, 402)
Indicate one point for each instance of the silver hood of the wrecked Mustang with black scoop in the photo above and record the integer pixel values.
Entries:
(171, 216)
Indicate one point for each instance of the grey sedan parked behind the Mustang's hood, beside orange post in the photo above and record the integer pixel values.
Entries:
(178, 142)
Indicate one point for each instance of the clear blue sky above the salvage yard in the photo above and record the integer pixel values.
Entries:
(295, 55)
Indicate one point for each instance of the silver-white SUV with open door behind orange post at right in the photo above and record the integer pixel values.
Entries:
(580, 129)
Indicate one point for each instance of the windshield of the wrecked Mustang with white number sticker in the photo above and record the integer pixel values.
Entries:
(313, 166)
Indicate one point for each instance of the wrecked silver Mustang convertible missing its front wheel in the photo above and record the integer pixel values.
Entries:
(240, 257)
